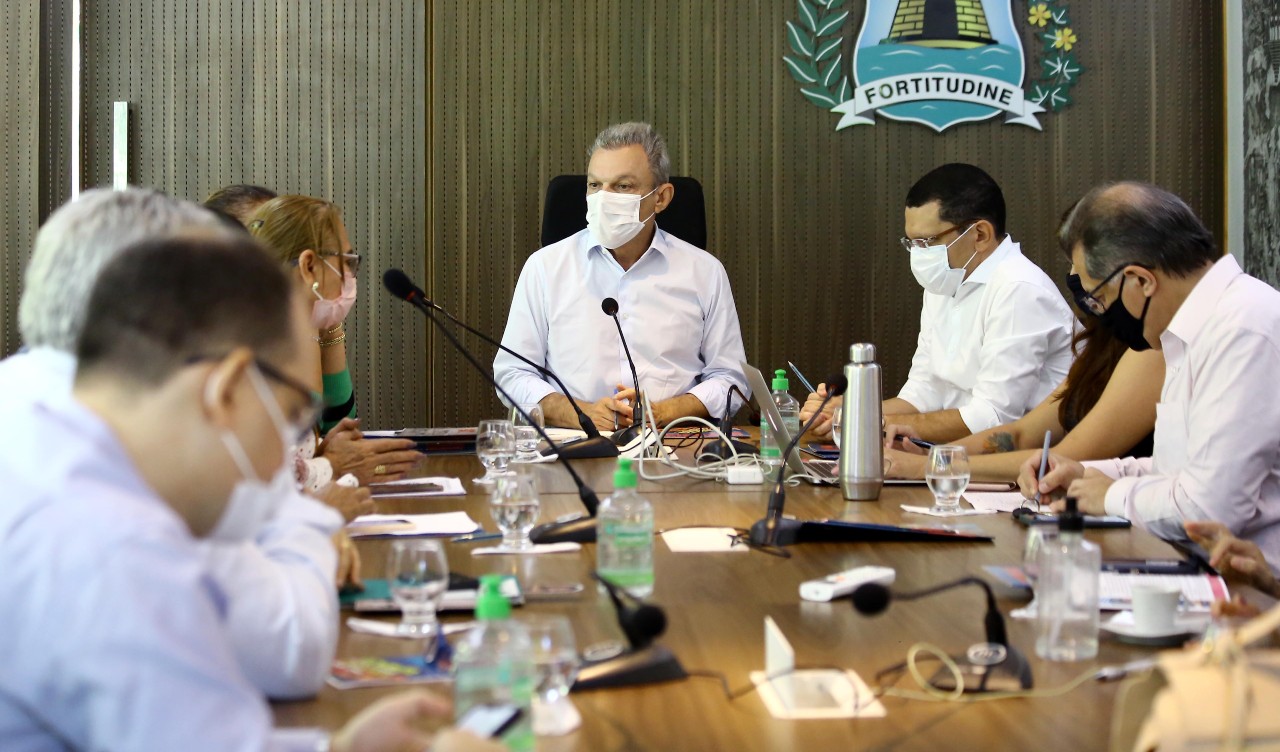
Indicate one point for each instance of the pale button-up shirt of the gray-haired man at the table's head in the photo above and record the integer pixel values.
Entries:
(675, 306)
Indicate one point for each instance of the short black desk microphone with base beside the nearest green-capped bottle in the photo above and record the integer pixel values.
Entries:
(643, 663)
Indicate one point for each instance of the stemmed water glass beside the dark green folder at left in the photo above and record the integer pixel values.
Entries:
(418, 574)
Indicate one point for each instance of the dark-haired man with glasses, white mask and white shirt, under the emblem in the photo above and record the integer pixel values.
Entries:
(995, 332)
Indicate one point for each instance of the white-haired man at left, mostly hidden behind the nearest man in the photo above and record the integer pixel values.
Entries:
(282, 609)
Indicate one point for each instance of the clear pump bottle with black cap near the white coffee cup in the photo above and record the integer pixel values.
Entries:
(1067, 593)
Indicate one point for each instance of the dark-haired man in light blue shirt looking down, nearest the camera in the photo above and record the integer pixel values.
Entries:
(188, 397)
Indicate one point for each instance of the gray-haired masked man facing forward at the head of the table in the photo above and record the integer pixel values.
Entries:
(675, 302)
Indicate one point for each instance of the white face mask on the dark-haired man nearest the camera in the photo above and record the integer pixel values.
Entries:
(254, 502)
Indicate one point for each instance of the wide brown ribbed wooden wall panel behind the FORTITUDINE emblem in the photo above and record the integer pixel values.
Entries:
(804, 218)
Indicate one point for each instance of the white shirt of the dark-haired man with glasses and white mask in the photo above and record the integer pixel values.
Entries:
(996, 349)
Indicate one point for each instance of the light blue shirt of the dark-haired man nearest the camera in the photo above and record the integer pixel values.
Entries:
(113, 630)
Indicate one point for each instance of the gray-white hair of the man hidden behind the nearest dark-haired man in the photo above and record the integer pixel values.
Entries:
(77, 242)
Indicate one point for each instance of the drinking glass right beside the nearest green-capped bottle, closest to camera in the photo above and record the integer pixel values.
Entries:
(556, 662)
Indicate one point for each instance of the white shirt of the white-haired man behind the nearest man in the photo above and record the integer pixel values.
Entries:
(284, 609)
